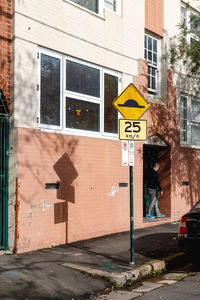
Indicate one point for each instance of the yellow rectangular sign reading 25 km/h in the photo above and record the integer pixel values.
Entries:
(133, 130)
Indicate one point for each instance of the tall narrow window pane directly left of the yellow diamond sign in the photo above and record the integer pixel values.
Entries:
(110, 113)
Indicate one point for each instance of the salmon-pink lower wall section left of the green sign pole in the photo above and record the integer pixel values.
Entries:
(89, 203)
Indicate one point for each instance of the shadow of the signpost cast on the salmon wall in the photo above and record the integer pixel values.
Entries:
(67, 173)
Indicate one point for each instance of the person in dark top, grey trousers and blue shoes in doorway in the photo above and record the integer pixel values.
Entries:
(153, 186)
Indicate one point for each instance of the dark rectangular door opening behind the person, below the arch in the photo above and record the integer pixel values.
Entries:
(161, 154)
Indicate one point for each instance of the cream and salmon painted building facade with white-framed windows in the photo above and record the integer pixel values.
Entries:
(71, 59)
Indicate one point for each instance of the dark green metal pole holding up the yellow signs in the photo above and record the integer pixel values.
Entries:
(131, 217)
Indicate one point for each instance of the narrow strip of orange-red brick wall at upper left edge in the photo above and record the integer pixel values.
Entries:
(5, 47)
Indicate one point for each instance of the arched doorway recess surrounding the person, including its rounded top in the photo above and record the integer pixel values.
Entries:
(156, 149)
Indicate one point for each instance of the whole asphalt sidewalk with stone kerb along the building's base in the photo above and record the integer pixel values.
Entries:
(62, 272)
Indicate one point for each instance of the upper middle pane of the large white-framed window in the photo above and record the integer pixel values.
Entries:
(82, 79)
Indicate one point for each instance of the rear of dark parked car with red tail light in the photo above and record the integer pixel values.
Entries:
(189, 231)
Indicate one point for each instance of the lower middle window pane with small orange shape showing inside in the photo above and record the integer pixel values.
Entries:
(82, 115)
